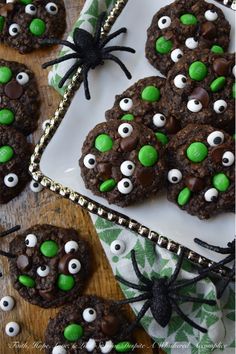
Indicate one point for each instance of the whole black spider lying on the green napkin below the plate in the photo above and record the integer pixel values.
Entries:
(161, 295)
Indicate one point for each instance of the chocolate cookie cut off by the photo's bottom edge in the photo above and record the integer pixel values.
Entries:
(88, 325)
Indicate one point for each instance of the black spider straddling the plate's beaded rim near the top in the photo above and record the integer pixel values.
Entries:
(90, 52)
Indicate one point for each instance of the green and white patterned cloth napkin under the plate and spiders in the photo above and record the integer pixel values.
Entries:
(178, 336)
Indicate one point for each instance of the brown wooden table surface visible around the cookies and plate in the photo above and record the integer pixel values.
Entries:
(29, 209)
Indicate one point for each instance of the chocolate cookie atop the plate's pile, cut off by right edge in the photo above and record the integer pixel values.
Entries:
(201, 90)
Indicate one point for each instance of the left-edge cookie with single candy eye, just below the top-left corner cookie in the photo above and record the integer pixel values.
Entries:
(19, 97)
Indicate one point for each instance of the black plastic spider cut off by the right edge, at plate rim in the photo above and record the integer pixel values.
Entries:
(230, 250)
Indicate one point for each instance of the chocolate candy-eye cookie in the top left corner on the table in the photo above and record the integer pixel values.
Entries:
(24, 24)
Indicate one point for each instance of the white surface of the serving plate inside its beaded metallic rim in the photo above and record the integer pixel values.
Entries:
(60, 159)
